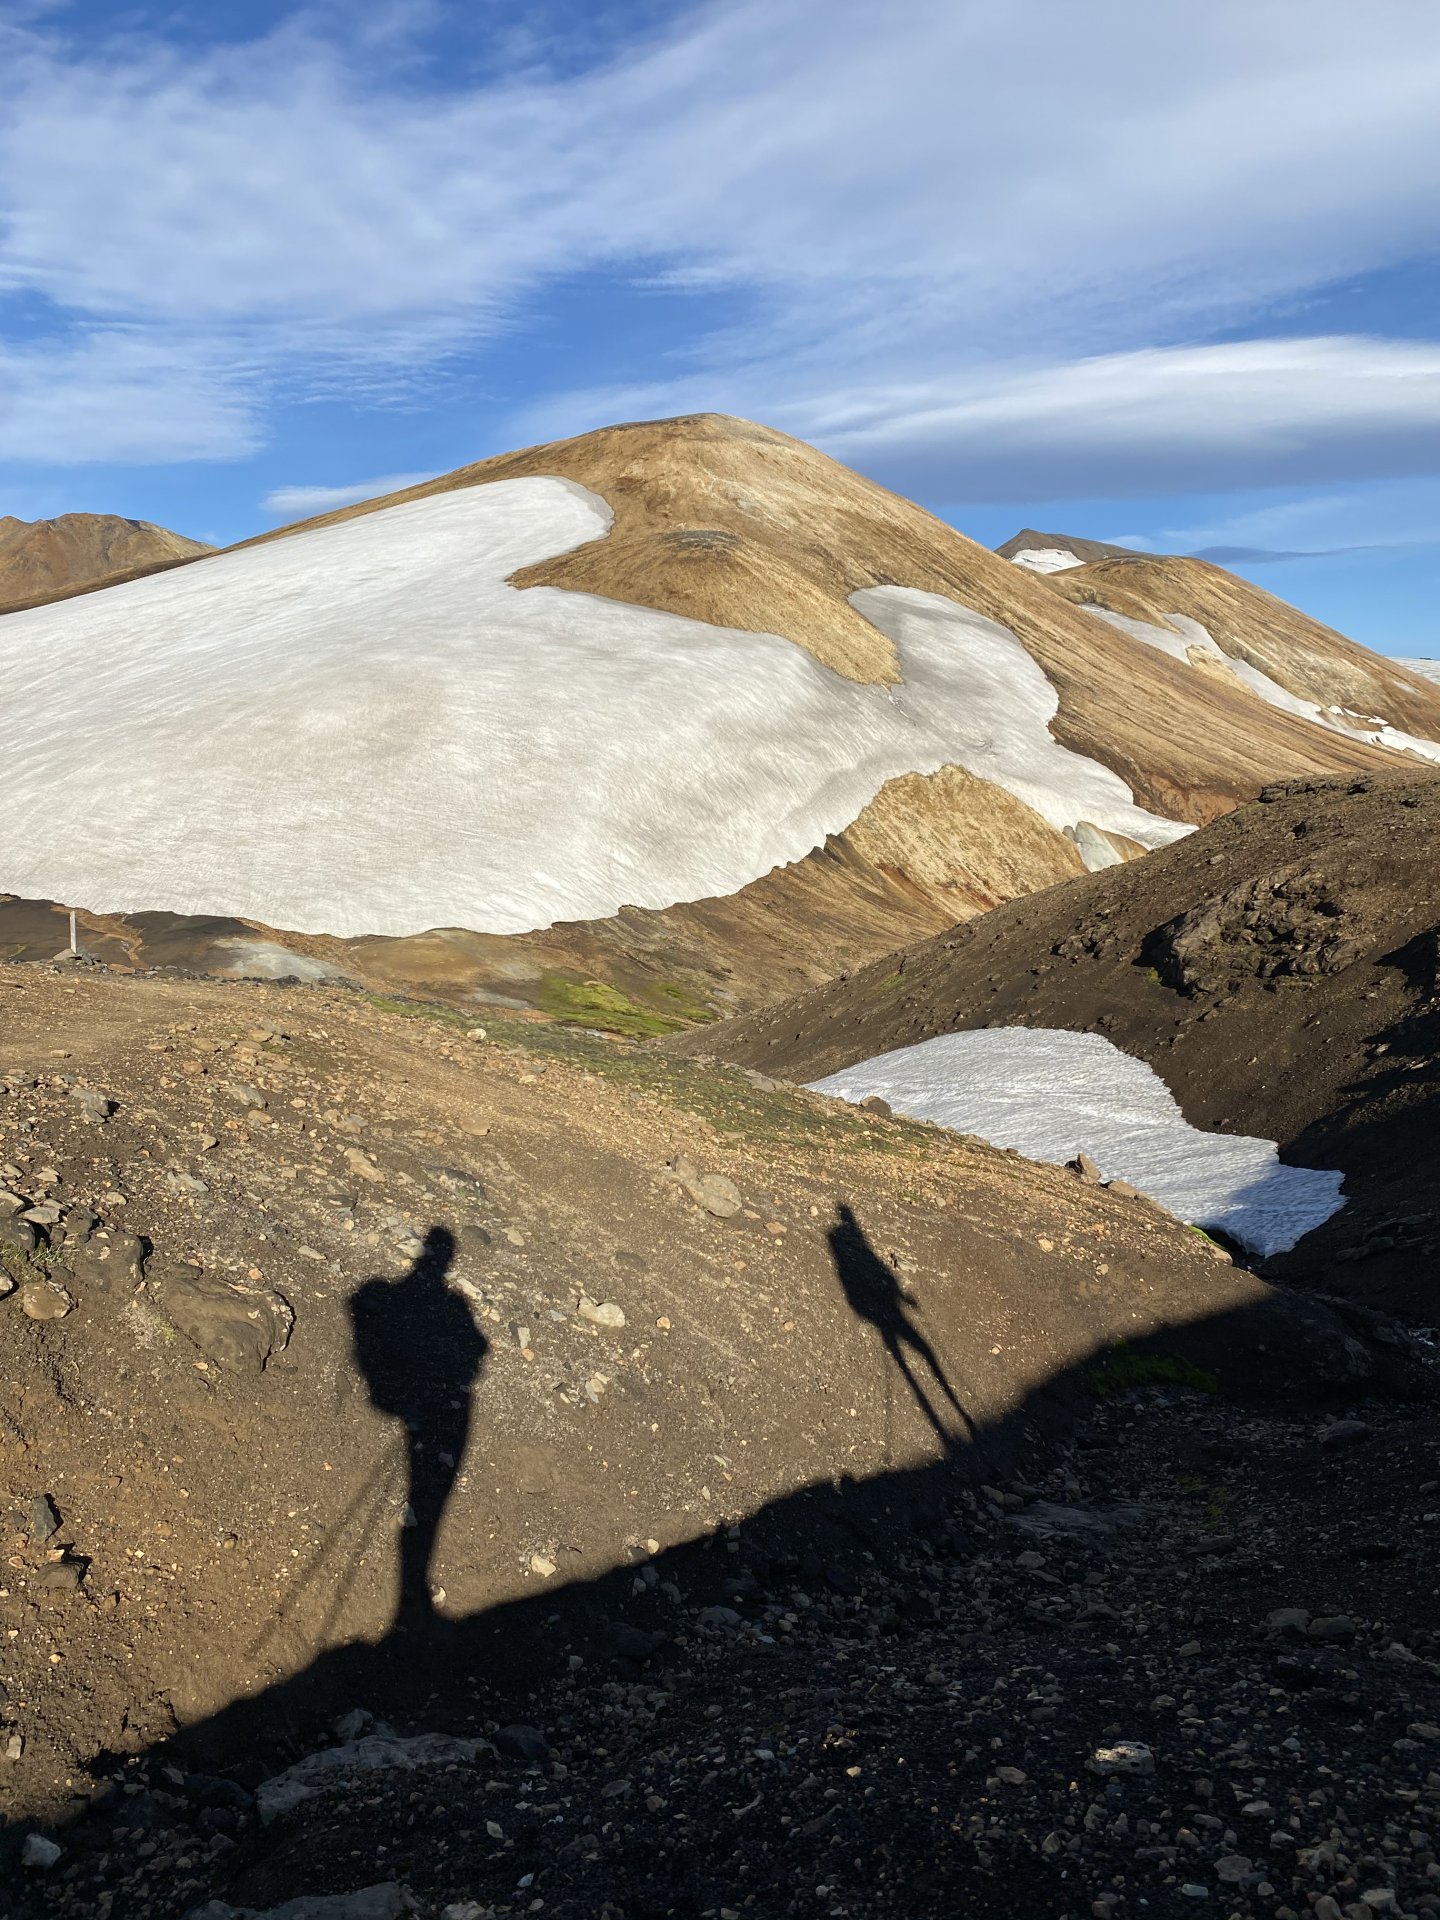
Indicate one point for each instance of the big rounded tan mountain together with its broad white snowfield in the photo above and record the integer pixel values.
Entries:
(635, 669)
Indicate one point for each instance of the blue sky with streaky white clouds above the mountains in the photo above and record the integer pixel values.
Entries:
(1153, 274)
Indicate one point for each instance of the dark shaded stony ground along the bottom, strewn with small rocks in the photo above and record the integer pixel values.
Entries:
(1191, 1669)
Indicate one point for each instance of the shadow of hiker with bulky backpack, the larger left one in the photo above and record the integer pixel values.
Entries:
(421, 1355)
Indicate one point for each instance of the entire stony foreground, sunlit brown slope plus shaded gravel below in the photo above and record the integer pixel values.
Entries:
(688, 1385)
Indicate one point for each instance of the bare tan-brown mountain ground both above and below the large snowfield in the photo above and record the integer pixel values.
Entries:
(736, 525)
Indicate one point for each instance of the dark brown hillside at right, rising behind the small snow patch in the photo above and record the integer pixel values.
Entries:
(1280, 971)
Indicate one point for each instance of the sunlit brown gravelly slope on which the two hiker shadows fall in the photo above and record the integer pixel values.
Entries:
(210, 1176)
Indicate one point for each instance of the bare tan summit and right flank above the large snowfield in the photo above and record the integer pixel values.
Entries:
(734, 523)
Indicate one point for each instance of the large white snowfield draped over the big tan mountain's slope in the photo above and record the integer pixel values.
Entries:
(366, 731)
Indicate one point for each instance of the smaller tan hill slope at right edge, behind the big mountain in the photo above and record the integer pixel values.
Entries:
(1251, 625)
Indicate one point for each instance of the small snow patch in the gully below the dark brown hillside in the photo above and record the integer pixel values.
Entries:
(1053, 1095)
